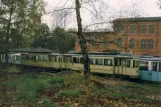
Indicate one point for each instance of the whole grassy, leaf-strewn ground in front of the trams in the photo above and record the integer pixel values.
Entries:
(66, 89)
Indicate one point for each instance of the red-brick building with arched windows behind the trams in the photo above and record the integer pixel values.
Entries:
(138, 35)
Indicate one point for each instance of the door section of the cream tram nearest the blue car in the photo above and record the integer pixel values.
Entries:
(120, 66)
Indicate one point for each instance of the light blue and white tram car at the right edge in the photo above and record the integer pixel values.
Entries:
(150, 69)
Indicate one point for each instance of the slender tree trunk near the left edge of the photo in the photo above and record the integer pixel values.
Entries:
(8, 33)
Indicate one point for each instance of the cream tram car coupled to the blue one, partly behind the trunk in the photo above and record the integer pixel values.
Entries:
(109, 64)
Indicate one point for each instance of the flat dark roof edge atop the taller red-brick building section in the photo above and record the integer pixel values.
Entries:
(138, 19)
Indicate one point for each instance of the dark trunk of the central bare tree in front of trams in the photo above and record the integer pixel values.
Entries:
(82, 41)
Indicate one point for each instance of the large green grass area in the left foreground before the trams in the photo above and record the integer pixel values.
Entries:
(30, 86)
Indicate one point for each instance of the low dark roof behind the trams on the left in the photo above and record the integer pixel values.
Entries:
(31, 50)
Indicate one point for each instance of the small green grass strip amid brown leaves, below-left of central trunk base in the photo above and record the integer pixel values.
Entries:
(72, 93)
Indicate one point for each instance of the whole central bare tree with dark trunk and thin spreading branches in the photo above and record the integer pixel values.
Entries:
(94, 10)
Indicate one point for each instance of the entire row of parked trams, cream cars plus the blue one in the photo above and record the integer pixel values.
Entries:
(145, 68)
